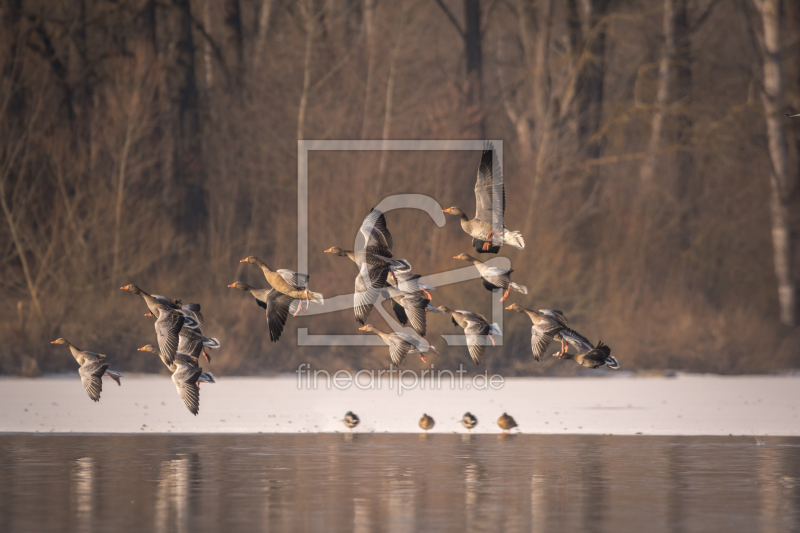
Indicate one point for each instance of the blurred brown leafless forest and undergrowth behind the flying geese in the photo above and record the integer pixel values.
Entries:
(648, 160)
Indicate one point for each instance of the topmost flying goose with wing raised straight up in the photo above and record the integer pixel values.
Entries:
(480, 228)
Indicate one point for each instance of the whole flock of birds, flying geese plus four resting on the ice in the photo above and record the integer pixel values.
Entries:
(181, 343)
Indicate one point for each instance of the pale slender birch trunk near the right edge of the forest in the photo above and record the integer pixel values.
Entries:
(772, 98)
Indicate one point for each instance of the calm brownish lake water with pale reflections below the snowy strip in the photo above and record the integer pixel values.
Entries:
(391, 482)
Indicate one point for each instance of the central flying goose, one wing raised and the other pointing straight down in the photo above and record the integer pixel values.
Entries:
(374, 263)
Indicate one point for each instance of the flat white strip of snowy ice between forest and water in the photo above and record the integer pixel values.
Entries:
(618, 405)
